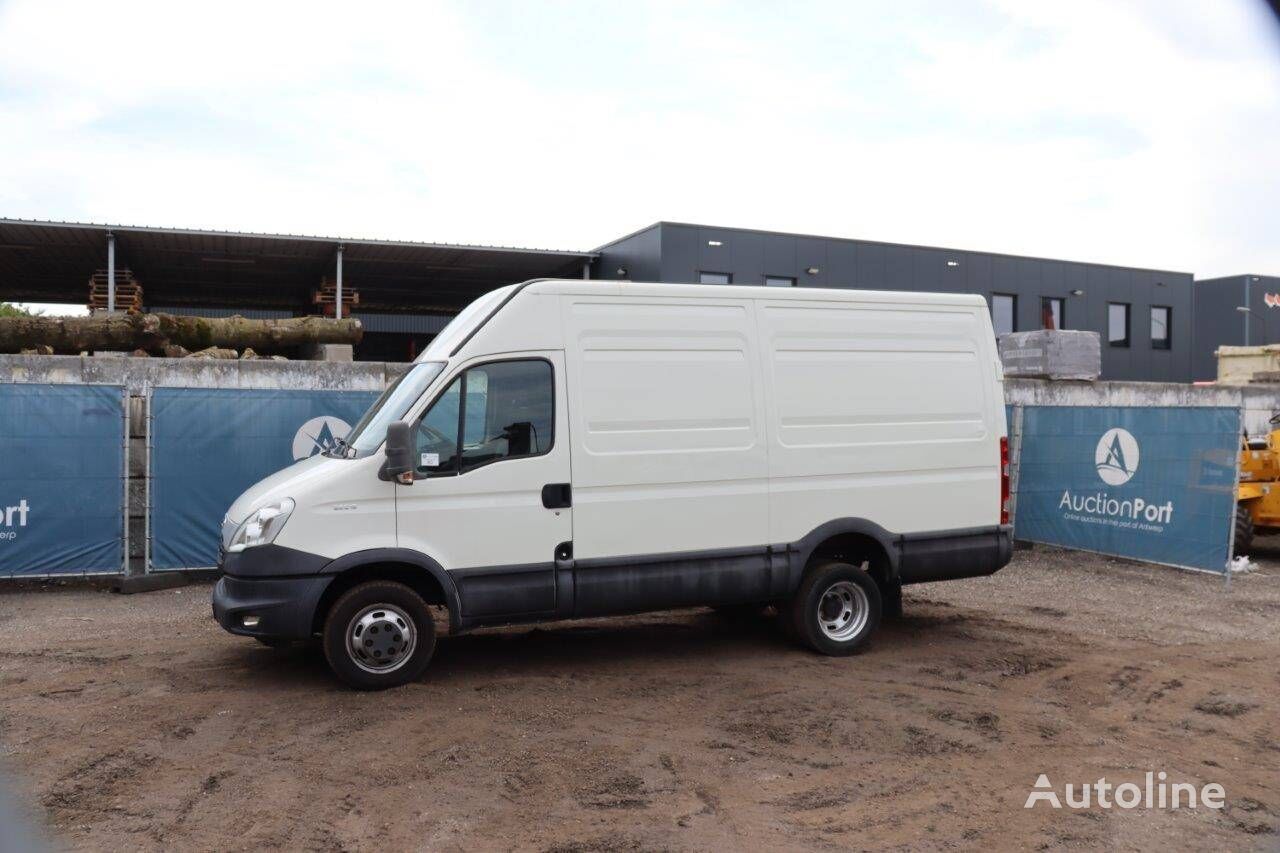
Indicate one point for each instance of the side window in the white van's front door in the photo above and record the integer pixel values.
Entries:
(492, 412)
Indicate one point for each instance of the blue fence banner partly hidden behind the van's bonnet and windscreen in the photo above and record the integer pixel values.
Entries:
(209, 445)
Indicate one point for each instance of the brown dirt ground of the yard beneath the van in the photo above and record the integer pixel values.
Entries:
(135, 723)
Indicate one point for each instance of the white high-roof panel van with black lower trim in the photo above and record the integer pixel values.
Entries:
(572, 449)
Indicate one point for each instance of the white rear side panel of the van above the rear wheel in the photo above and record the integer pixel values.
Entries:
(881, 412)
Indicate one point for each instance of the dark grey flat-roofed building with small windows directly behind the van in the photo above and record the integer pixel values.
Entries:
(1144, 316)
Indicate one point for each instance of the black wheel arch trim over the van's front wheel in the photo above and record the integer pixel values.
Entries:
(417, 571)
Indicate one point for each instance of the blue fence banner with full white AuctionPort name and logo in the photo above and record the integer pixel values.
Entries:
(1155, 485)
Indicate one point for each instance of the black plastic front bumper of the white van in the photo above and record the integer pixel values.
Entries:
(285, 606)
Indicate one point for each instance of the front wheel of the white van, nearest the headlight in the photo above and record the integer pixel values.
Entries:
(388, 610)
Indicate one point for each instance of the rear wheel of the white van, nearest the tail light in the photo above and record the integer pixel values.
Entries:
(830, 587)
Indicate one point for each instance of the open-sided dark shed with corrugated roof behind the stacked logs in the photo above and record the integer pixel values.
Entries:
(51, 262)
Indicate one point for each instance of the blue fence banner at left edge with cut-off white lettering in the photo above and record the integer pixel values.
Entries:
(62, 481)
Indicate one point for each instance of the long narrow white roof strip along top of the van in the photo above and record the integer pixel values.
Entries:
(584, 288)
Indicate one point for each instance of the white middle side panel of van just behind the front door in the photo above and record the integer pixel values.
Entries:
(668, 421)
